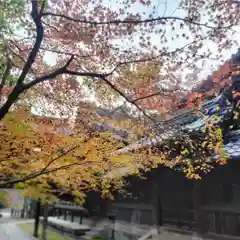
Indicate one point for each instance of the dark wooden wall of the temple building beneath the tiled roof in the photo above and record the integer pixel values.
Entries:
(209, 206)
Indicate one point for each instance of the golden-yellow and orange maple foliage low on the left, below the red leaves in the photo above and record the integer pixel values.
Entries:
(45, 161)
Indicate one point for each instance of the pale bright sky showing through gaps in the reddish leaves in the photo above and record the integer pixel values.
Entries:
(161, 8)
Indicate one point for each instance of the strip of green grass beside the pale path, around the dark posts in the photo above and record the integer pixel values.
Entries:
(51, 235)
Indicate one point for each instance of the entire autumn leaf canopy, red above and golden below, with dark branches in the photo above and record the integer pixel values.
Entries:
(123, 52)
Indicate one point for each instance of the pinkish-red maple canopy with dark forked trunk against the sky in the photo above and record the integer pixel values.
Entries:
(63, 41)
